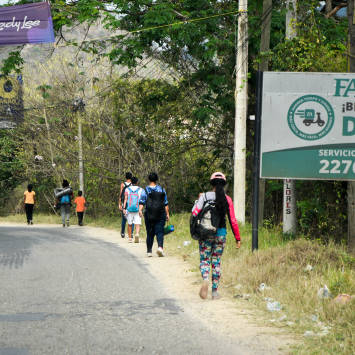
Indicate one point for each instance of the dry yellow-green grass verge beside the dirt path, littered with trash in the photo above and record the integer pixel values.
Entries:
(280, 264)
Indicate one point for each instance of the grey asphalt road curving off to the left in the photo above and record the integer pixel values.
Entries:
(62, 292)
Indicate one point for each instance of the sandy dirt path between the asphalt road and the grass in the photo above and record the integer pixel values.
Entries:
(223, 316)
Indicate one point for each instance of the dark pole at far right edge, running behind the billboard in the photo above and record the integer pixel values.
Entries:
(351, 184)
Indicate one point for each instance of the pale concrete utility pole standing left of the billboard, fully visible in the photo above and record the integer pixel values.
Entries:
(241, 98)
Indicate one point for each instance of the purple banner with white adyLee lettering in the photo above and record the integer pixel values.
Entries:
(29, 23)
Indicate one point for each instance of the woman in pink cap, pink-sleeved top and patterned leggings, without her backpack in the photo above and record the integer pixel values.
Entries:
(212, 249)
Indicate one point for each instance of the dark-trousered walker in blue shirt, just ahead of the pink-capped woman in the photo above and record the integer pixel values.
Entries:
(154, 228)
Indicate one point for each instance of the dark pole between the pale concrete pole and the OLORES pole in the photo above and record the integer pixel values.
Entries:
(264, 66)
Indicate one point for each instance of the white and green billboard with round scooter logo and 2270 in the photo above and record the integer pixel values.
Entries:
(308, 126)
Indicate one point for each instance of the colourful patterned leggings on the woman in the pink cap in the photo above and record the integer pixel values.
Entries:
(212, 249)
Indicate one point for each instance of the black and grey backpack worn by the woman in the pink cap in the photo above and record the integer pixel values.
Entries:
(205, 224)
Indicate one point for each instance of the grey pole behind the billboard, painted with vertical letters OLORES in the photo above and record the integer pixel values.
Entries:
(290, 187)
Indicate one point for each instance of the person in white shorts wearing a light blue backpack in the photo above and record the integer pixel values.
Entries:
(131, 209)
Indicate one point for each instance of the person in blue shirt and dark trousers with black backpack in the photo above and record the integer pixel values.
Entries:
(156, 213)
